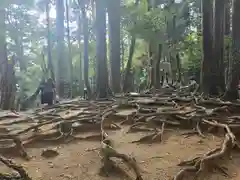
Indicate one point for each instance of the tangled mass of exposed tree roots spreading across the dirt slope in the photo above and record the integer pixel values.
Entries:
(143, 112)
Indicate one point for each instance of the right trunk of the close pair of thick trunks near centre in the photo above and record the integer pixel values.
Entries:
(114, 36)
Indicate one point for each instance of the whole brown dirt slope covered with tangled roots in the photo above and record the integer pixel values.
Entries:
(167, 135)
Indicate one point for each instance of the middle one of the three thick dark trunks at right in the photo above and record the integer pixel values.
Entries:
(219, 43)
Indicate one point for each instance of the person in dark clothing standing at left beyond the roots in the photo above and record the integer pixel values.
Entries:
(47, 92)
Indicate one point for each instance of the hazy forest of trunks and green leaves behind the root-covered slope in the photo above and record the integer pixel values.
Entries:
(125, 50)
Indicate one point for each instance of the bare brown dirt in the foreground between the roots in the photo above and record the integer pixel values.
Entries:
(81, 160)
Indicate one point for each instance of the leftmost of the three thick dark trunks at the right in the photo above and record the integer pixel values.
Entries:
(207, 13)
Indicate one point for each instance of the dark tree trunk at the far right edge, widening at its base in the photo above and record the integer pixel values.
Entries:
(232, 88)
